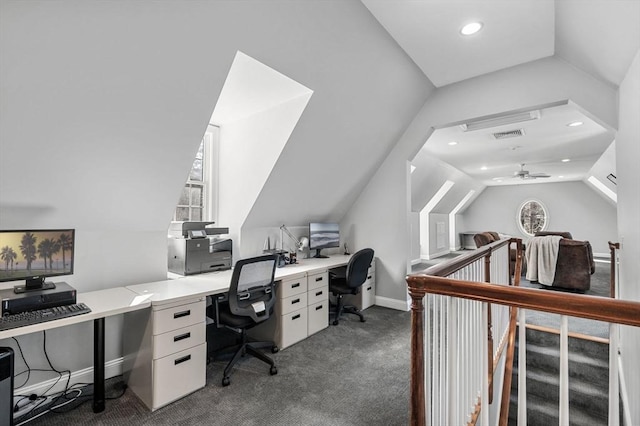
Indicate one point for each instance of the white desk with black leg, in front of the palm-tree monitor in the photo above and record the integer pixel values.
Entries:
(103, 303)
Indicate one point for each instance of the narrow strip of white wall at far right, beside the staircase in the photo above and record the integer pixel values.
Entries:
(627, 156)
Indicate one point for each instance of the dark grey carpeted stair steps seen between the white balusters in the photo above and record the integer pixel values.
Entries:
(588, 381)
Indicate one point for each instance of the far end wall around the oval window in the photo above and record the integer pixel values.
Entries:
(572, 206)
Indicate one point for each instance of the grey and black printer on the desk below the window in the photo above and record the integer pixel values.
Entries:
(197, 247)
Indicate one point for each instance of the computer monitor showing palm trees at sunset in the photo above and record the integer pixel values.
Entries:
(34, 255)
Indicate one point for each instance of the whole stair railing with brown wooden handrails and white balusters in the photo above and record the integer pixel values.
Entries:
(457, 281)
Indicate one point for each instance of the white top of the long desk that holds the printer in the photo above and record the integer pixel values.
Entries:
(194, 286)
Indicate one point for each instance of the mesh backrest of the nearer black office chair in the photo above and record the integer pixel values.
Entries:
(252, 290)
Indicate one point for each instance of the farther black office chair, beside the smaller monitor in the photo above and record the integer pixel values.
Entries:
(348, 280)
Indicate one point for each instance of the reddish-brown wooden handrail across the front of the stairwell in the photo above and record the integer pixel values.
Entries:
(576, 305)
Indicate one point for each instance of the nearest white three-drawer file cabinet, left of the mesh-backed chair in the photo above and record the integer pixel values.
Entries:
(165, 351)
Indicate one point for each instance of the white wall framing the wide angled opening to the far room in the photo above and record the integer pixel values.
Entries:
(386, 200)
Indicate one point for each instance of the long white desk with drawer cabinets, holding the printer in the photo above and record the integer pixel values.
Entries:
(166, 348)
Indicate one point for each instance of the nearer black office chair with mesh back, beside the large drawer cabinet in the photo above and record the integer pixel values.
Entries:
(250, 302)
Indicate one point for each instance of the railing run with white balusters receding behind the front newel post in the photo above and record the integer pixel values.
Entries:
(458, 381)
